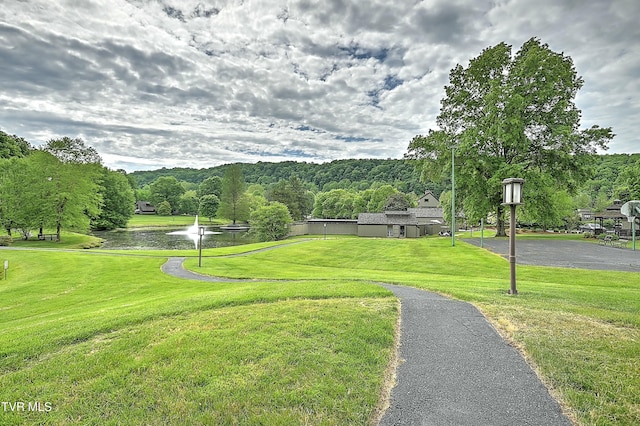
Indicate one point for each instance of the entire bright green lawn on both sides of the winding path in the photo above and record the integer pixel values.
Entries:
(109, 339)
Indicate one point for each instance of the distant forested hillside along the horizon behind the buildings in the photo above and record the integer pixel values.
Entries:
(615, 176)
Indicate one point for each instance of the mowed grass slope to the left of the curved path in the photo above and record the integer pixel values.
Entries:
(107, 339)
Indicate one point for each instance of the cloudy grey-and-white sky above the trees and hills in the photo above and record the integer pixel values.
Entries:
(198, 83)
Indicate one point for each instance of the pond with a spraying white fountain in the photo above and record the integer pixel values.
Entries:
(157, 239)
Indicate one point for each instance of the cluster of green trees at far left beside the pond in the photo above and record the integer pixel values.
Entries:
(61, 185)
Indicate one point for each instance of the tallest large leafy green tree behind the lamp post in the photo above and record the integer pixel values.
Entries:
(510, 116)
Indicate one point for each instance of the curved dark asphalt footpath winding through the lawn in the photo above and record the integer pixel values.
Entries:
(455, 369)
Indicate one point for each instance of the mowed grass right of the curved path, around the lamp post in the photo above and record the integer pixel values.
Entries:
(579, 328)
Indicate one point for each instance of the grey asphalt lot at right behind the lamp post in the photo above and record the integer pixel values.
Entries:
(566, 253)
